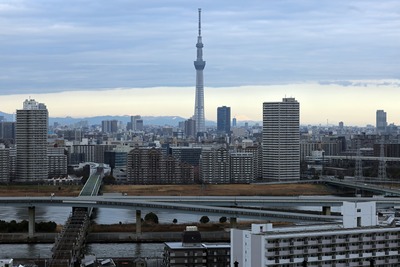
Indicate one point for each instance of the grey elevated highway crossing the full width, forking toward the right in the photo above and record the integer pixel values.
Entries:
(250, 207)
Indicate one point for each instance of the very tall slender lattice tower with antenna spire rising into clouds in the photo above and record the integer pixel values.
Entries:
(199, 65)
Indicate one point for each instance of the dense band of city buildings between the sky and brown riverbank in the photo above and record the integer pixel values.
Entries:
(227, 153)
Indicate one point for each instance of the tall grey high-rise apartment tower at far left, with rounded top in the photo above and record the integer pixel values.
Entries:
(31, 142)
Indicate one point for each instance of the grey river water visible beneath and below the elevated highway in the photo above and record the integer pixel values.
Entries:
(103, 216)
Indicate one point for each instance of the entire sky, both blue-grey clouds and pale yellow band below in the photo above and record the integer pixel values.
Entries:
(82, 61)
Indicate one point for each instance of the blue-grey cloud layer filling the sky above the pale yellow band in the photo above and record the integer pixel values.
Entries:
(53, 46)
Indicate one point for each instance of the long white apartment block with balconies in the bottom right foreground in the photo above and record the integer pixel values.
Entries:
(360, 241)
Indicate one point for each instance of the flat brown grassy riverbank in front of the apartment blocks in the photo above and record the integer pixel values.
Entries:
(295, 189)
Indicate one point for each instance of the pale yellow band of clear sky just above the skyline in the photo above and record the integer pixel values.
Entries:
(320, 103)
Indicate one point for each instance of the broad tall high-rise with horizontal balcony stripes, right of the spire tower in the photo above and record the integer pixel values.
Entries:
(281, 140)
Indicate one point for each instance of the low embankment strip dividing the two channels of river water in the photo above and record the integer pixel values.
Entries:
(115, 237)
